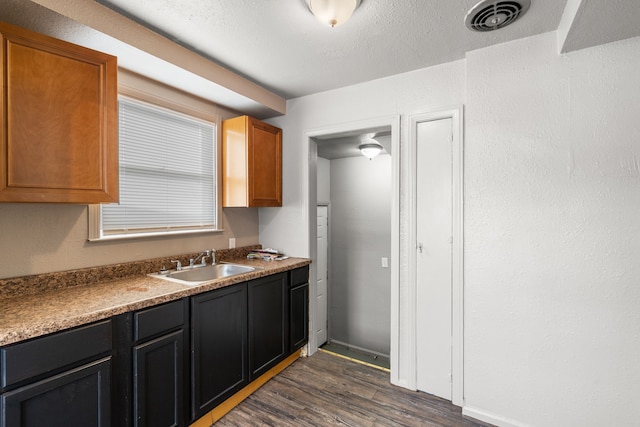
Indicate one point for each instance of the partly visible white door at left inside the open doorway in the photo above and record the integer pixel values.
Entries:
(322, 273)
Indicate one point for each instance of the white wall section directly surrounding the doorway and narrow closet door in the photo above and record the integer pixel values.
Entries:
(287, 228)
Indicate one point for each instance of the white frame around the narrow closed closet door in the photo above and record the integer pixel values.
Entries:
(454, 113)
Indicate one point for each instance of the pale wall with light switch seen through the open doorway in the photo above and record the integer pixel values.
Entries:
(359, 288)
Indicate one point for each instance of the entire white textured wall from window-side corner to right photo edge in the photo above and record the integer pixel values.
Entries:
(552, 201)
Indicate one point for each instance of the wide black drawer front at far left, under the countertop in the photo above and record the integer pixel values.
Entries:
(41, 355)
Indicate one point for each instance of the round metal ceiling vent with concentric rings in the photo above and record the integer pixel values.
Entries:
(489, 15)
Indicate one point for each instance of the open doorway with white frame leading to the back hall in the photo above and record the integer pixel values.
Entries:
(360, 198)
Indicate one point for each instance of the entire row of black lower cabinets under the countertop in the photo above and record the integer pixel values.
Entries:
(147, 368)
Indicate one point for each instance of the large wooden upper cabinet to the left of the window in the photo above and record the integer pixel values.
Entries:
(59, 118)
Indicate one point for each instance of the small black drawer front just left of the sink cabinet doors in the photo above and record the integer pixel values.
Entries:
(157, 320)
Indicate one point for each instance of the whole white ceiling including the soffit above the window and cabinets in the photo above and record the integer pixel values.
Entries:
(276, 49)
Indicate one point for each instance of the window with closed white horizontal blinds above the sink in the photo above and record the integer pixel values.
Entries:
(167, 173)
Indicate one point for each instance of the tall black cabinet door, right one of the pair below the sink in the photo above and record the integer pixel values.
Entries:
(267, 323)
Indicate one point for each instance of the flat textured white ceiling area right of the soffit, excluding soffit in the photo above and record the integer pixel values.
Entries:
(280, 45)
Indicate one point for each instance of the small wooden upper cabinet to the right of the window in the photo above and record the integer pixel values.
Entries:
(251, 163)
